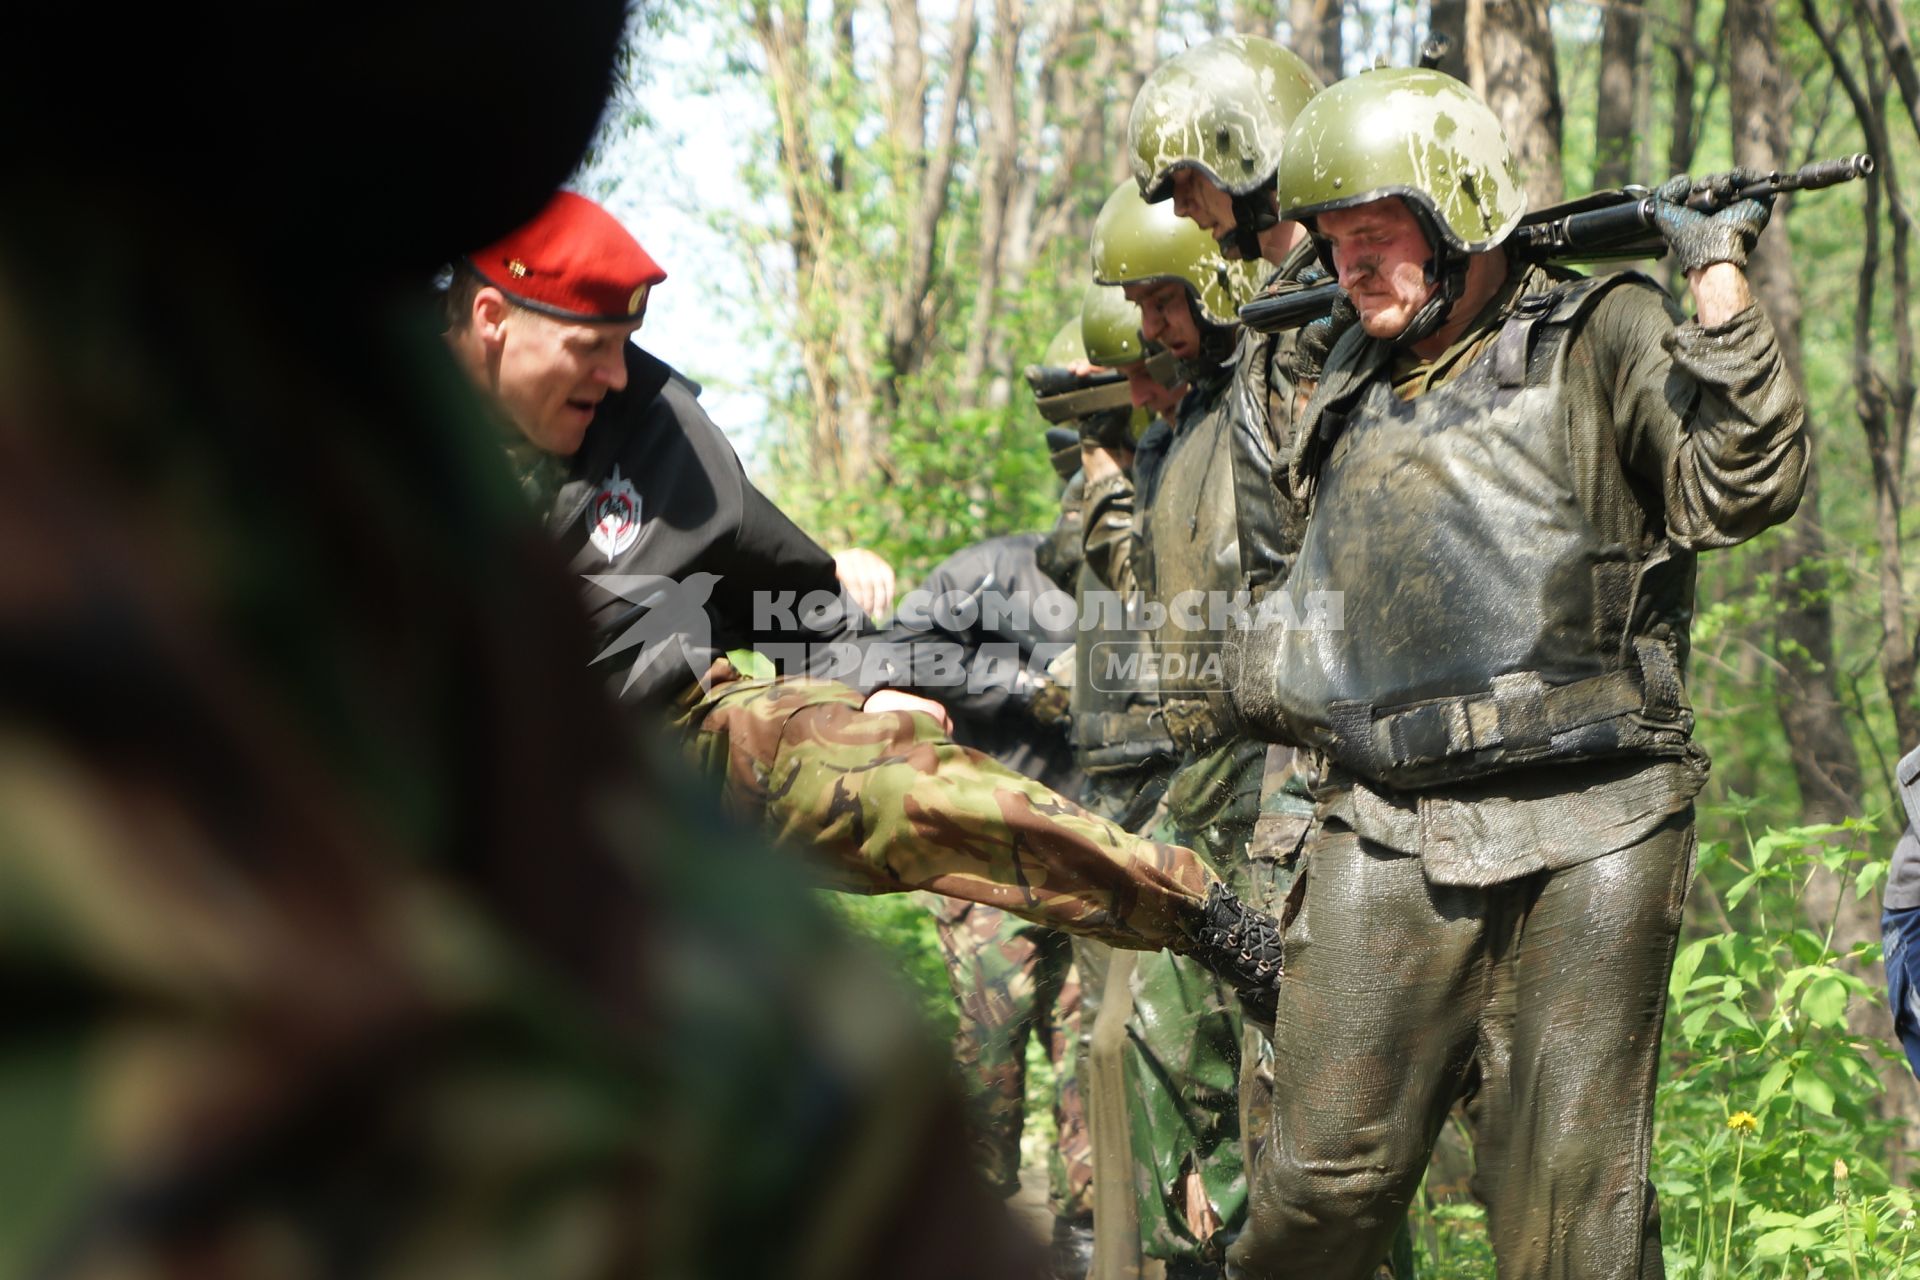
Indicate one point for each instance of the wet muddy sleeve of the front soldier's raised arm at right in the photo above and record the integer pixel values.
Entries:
(1710, 415)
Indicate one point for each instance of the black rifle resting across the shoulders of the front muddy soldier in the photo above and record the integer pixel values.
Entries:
(1606, 227)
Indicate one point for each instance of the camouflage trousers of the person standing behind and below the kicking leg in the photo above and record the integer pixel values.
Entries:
(1015, 980)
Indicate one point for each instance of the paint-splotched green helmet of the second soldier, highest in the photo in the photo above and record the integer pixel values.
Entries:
(1222, 108)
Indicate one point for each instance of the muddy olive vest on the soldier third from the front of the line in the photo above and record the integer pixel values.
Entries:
(1191, 550)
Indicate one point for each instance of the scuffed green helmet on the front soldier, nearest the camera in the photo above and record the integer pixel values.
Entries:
(1412, 133)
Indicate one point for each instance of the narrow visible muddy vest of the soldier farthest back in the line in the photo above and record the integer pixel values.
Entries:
(1116, 701)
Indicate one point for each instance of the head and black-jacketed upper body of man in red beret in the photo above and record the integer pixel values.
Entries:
(642, 488)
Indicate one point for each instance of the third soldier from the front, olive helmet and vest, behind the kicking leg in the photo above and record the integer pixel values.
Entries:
(1166, 540)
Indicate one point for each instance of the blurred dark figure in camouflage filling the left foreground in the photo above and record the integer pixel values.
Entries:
(345, 932)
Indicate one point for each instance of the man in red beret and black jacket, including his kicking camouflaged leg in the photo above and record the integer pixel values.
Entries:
(686, 559)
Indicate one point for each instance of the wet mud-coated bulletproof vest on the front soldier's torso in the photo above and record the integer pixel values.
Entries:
(1474, 617)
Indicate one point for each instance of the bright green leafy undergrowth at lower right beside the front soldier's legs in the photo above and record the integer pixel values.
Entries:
(1764, 1095)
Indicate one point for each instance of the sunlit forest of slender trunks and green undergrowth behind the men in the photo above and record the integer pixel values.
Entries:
(919, 191)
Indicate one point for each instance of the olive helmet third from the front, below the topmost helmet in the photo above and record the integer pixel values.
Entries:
(1136, 243)
